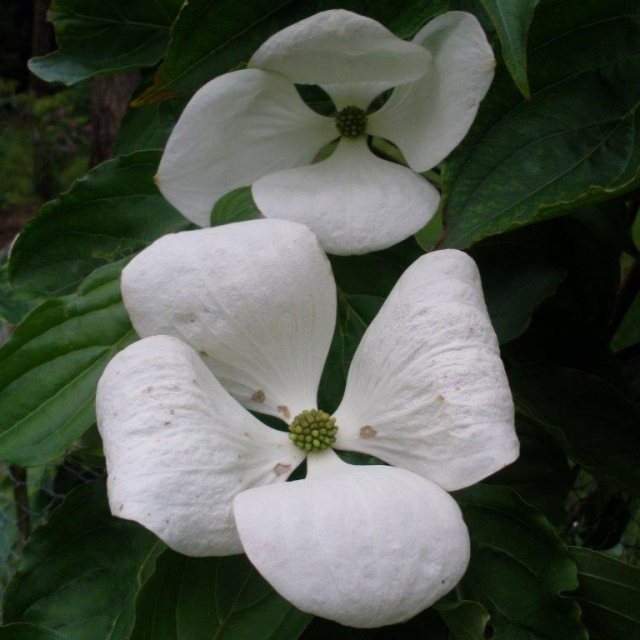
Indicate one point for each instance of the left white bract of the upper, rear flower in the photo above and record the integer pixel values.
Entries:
(236, 128)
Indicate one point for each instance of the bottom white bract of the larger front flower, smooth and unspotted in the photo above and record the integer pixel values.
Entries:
(365, 546)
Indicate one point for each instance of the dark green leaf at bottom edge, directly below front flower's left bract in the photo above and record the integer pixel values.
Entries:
(204, 598)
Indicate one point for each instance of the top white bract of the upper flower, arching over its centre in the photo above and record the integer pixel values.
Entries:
(338, 47)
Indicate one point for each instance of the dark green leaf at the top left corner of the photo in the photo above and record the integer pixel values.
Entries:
(97, 37)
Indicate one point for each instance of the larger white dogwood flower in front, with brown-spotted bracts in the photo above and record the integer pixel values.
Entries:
(249, 308)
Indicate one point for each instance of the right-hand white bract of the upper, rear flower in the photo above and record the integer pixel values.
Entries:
(429, 118)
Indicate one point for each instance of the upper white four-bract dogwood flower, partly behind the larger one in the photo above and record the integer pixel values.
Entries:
(251, 127)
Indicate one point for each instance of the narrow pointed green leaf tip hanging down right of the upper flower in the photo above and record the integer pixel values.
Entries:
(512, 19)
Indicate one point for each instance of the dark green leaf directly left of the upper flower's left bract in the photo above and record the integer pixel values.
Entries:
(109, 214)
